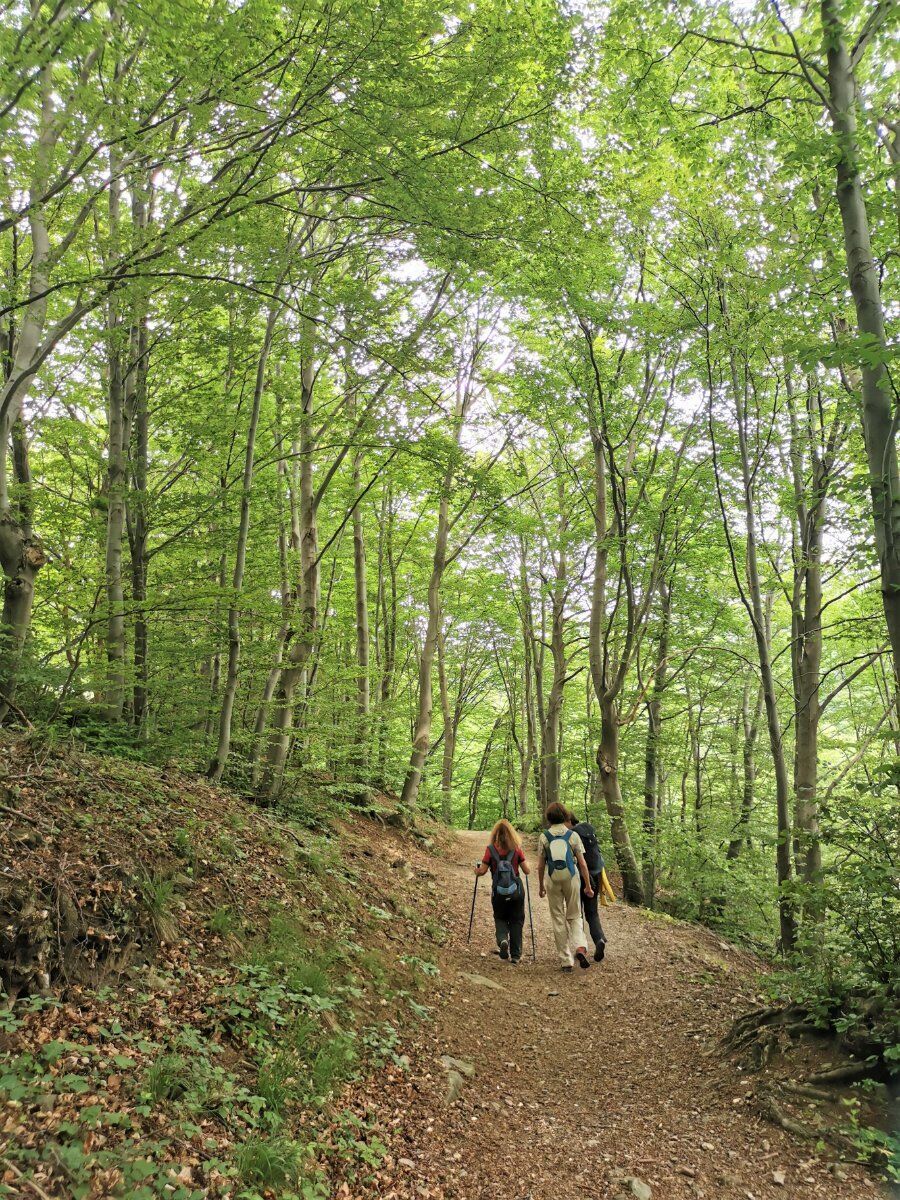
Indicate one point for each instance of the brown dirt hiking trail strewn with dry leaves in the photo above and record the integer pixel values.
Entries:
(602, 1084)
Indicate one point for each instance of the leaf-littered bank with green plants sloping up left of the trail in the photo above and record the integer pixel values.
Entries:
(197, 979)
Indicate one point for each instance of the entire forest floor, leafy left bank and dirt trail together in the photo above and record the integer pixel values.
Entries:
(220, 1000)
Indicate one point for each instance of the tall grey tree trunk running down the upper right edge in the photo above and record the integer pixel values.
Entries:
(880, 424)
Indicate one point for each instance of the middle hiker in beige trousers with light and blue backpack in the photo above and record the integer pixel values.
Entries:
(562, 855)
